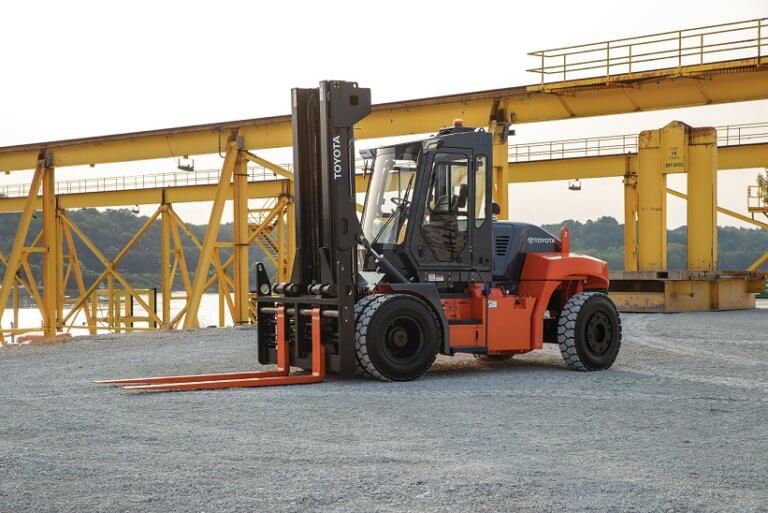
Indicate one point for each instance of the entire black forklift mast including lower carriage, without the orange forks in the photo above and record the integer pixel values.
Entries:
(327, 226)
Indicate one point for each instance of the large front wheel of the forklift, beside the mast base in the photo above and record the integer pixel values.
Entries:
(397, 336)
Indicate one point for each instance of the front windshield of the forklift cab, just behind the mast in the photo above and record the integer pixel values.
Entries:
(389, 196)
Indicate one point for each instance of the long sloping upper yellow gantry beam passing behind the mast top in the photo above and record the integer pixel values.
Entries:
(686, 86)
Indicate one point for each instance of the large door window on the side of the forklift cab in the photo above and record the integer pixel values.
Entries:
(445, 222)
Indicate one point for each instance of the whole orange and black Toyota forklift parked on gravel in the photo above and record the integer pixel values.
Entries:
(426, 270)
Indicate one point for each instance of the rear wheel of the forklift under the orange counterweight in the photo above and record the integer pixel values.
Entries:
(589, 332)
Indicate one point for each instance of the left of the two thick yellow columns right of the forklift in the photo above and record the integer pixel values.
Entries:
(651, 203)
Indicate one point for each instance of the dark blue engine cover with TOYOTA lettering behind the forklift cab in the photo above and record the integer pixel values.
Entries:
(512, 241)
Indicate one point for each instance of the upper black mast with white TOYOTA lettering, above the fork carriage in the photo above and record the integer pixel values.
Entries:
(324, 159)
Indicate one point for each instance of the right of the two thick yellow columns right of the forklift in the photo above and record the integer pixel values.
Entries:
(702, 200)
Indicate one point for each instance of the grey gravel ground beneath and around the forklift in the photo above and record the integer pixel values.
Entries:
(679, 424)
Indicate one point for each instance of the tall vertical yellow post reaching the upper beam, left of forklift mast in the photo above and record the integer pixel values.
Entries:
(240, 240)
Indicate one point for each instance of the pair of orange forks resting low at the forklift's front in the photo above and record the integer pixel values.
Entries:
(280, 376)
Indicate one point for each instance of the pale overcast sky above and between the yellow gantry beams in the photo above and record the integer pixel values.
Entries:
(77, 68)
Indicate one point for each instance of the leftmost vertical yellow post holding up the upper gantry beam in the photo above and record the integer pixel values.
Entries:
(50, 259)
